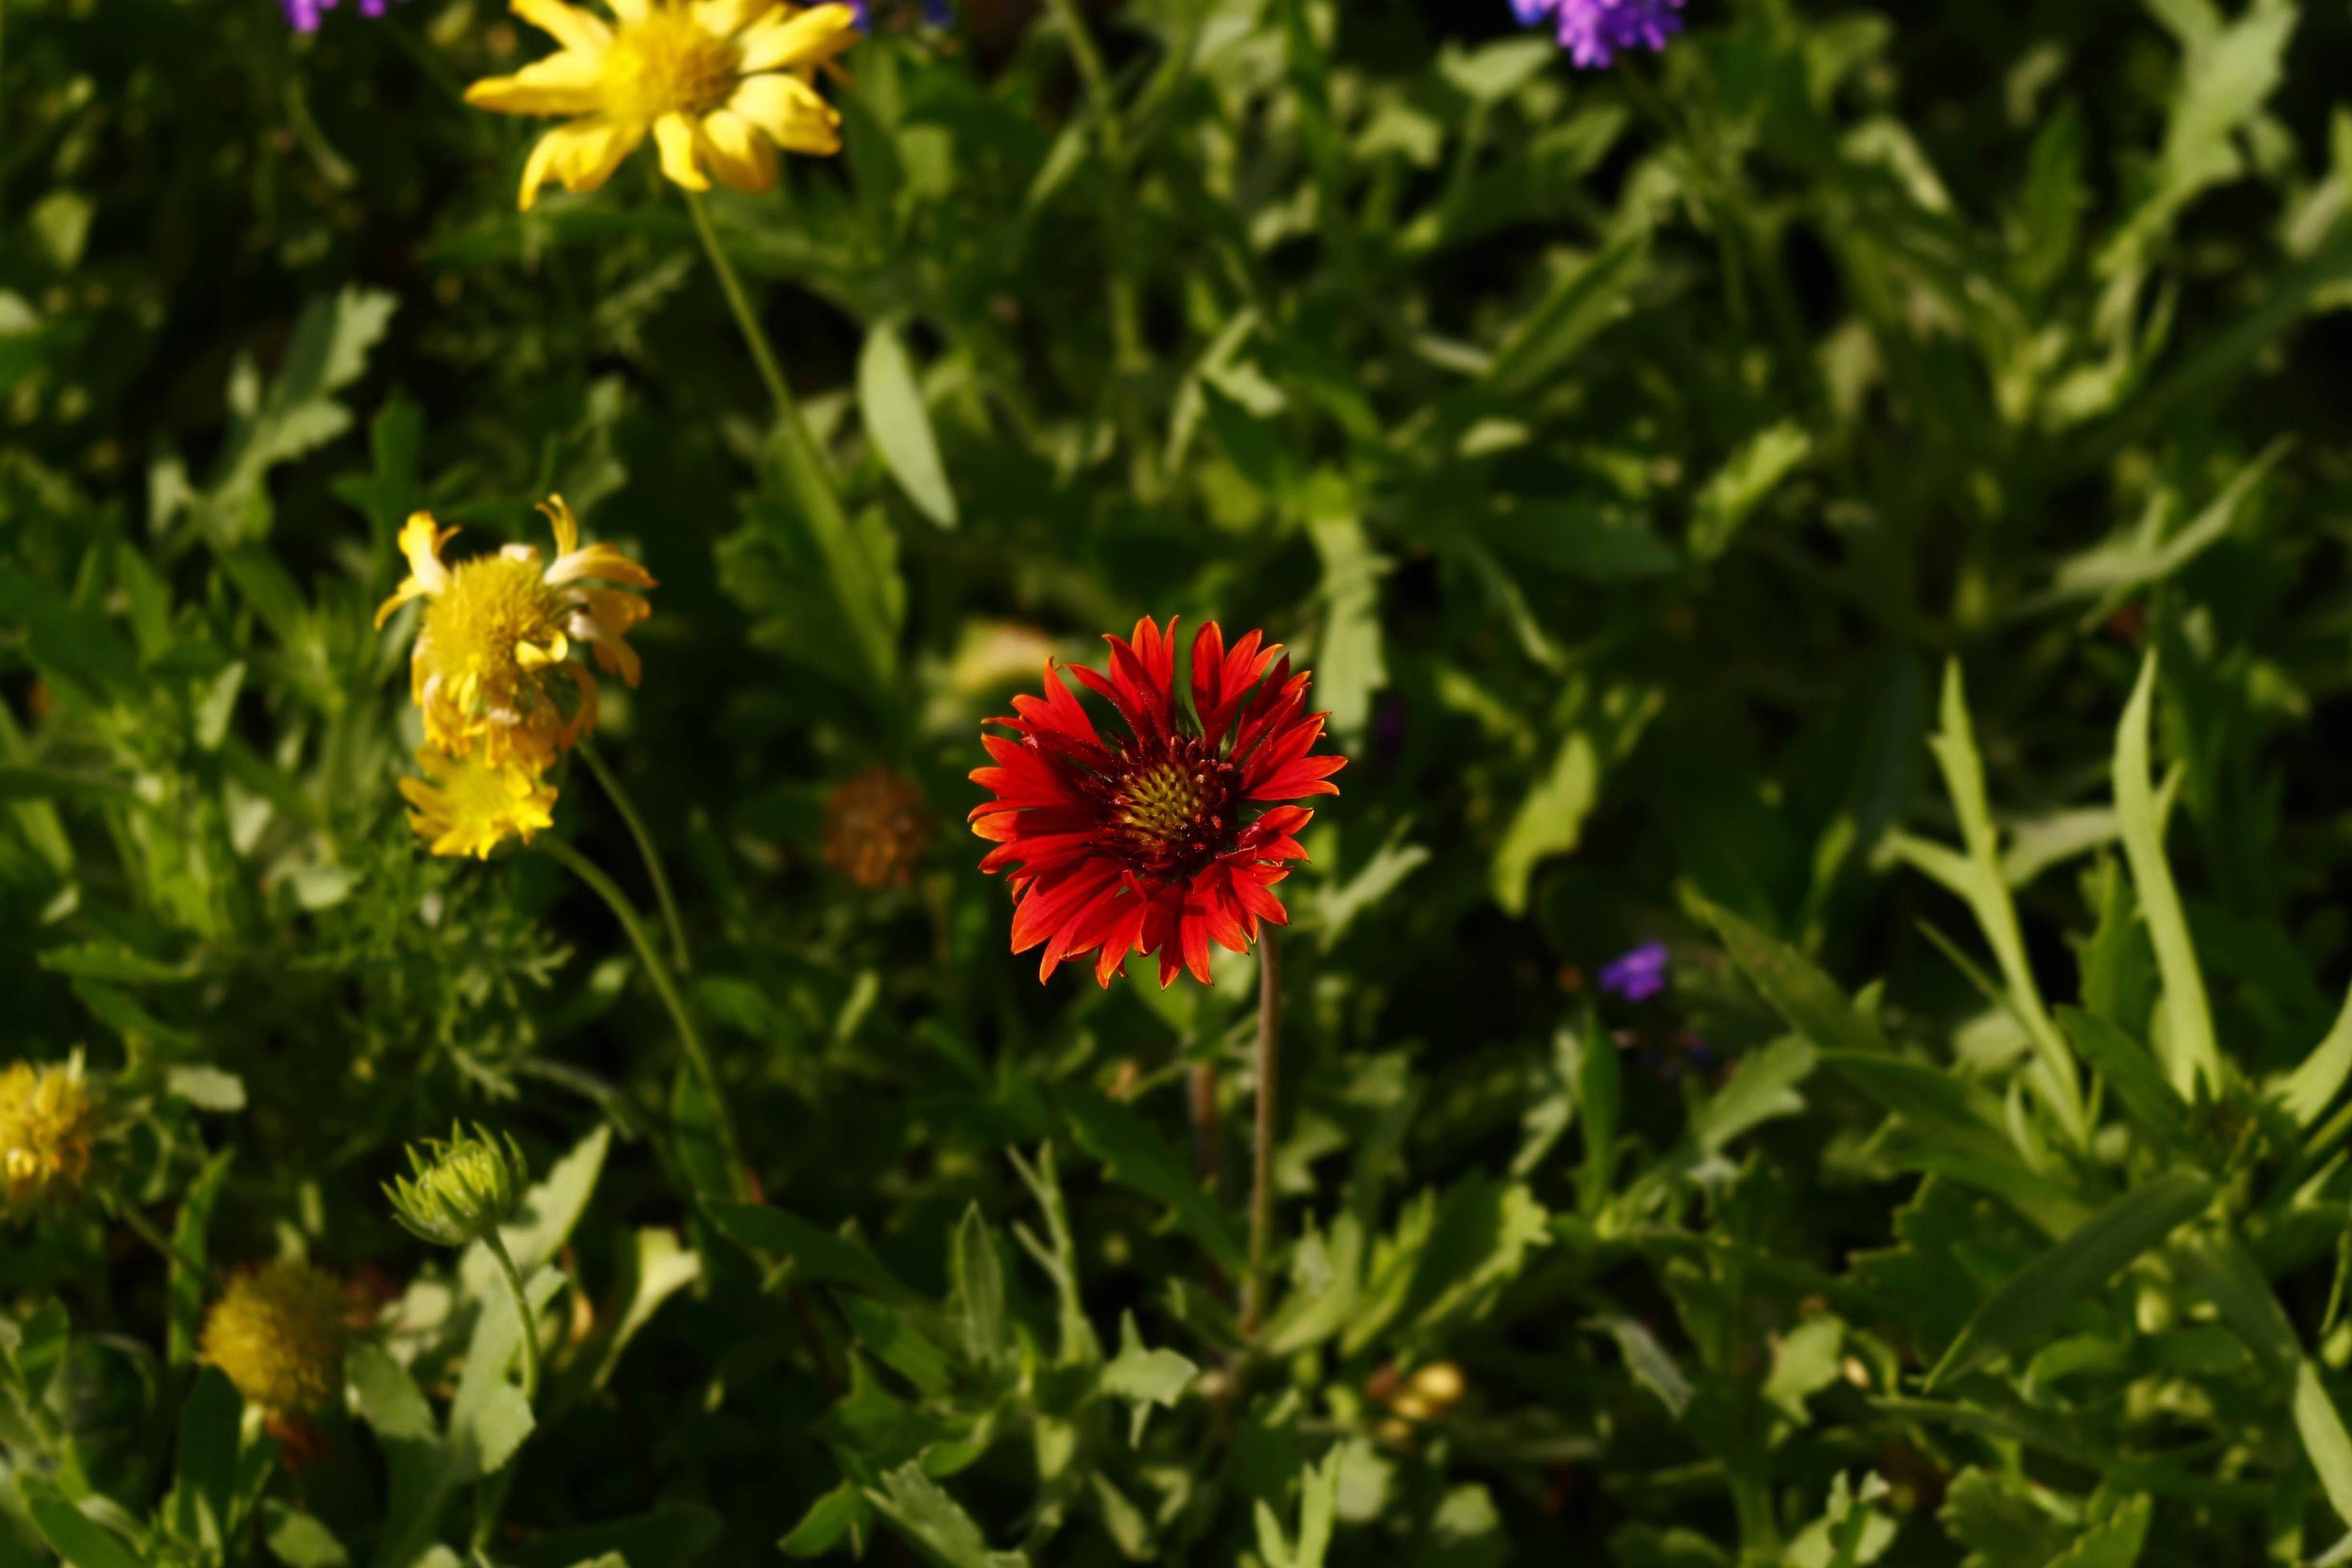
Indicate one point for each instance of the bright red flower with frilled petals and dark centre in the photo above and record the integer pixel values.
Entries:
(1144, 843)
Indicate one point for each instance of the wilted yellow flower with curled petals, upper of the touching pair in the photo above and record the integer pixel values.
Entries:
(493, 666)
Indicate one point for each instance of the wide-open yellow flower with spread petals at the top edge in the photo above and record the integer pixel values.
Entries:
(716, 83)
